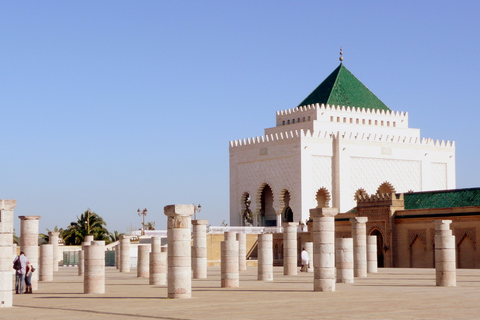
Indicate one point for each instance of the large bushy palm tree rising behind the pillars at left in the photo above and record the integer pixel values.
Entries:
(89, 223)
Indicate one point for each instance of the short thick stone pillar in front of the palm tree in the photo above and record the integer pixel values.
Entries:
(94, 277)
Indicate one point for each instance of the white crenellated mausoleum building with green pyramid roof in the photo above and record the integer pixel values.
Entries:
(340, 141)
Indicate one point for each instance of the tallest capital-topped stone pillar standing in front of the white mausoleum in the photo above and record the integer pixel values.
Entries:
(324, 248)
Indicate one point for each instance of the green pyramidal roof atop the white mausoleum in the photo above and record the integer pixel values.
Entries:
(342, 88)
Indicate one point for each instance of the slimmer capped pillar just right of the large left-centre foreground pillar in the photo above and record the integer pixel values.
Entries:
(199, 249)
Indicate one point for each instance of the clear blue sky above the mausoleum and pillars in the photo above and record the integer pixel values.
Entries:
(120, 105)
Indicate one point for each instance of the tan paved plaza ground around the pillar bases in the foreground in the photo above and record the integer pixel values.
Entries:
(390, 294)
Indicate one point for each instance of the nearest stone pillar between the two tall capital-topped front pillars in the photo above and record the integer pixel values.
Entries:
(229, 261)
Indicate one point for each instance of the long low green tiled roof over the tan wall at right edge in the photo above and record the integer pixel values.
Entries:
(443, 199)
